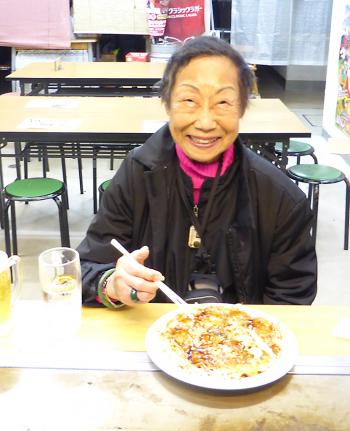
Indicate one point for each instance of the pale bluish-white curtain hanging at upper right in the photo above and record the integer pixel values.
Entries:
(281, 32)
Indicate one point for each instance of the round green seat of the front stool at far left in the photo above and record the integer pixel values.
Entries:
(34, 188)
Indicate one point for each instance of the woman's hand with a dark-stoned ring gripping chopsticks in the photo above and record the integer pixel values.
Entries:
(131, 274)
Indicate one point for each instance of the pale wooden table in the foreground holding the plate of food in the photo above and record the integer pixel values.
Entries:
(102, 380)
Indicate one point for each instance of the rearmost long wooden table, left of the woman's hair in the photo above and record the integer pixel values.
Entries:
(89, 78)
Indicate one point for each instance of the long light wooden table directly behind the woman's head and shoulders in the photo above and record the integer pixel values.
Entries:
(125, 120)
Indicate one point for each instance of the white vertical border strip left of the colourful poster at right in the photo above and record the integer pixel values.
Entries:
(331, 90)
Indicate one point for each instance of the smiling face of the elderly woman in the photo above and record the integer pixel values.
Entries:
(204, 109)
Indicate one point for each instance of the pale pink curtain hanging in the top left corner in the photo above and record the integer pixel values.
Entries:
(37, 24)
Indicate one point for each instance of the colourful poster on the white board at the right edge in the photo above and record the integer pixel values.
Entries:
(343, 101)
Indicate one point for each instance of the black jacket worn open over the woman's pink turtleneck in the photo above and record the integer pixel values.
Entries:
(258, 234)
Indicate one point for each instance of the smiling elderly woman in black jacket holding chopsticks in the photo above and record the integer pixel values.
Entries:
(198, 208)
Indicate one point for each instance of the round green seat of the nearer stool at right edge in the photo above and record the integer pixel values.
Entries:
(322, 174)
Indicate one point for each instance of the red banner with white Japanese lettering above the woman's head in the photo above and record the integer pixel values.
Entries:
(185, 19)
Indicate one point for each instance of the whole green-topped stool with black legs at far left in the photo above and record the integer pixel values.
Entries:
(31, 190)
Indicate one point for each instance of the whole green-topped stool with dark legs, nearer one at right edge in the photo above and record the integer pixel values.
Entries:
(314, 175)
